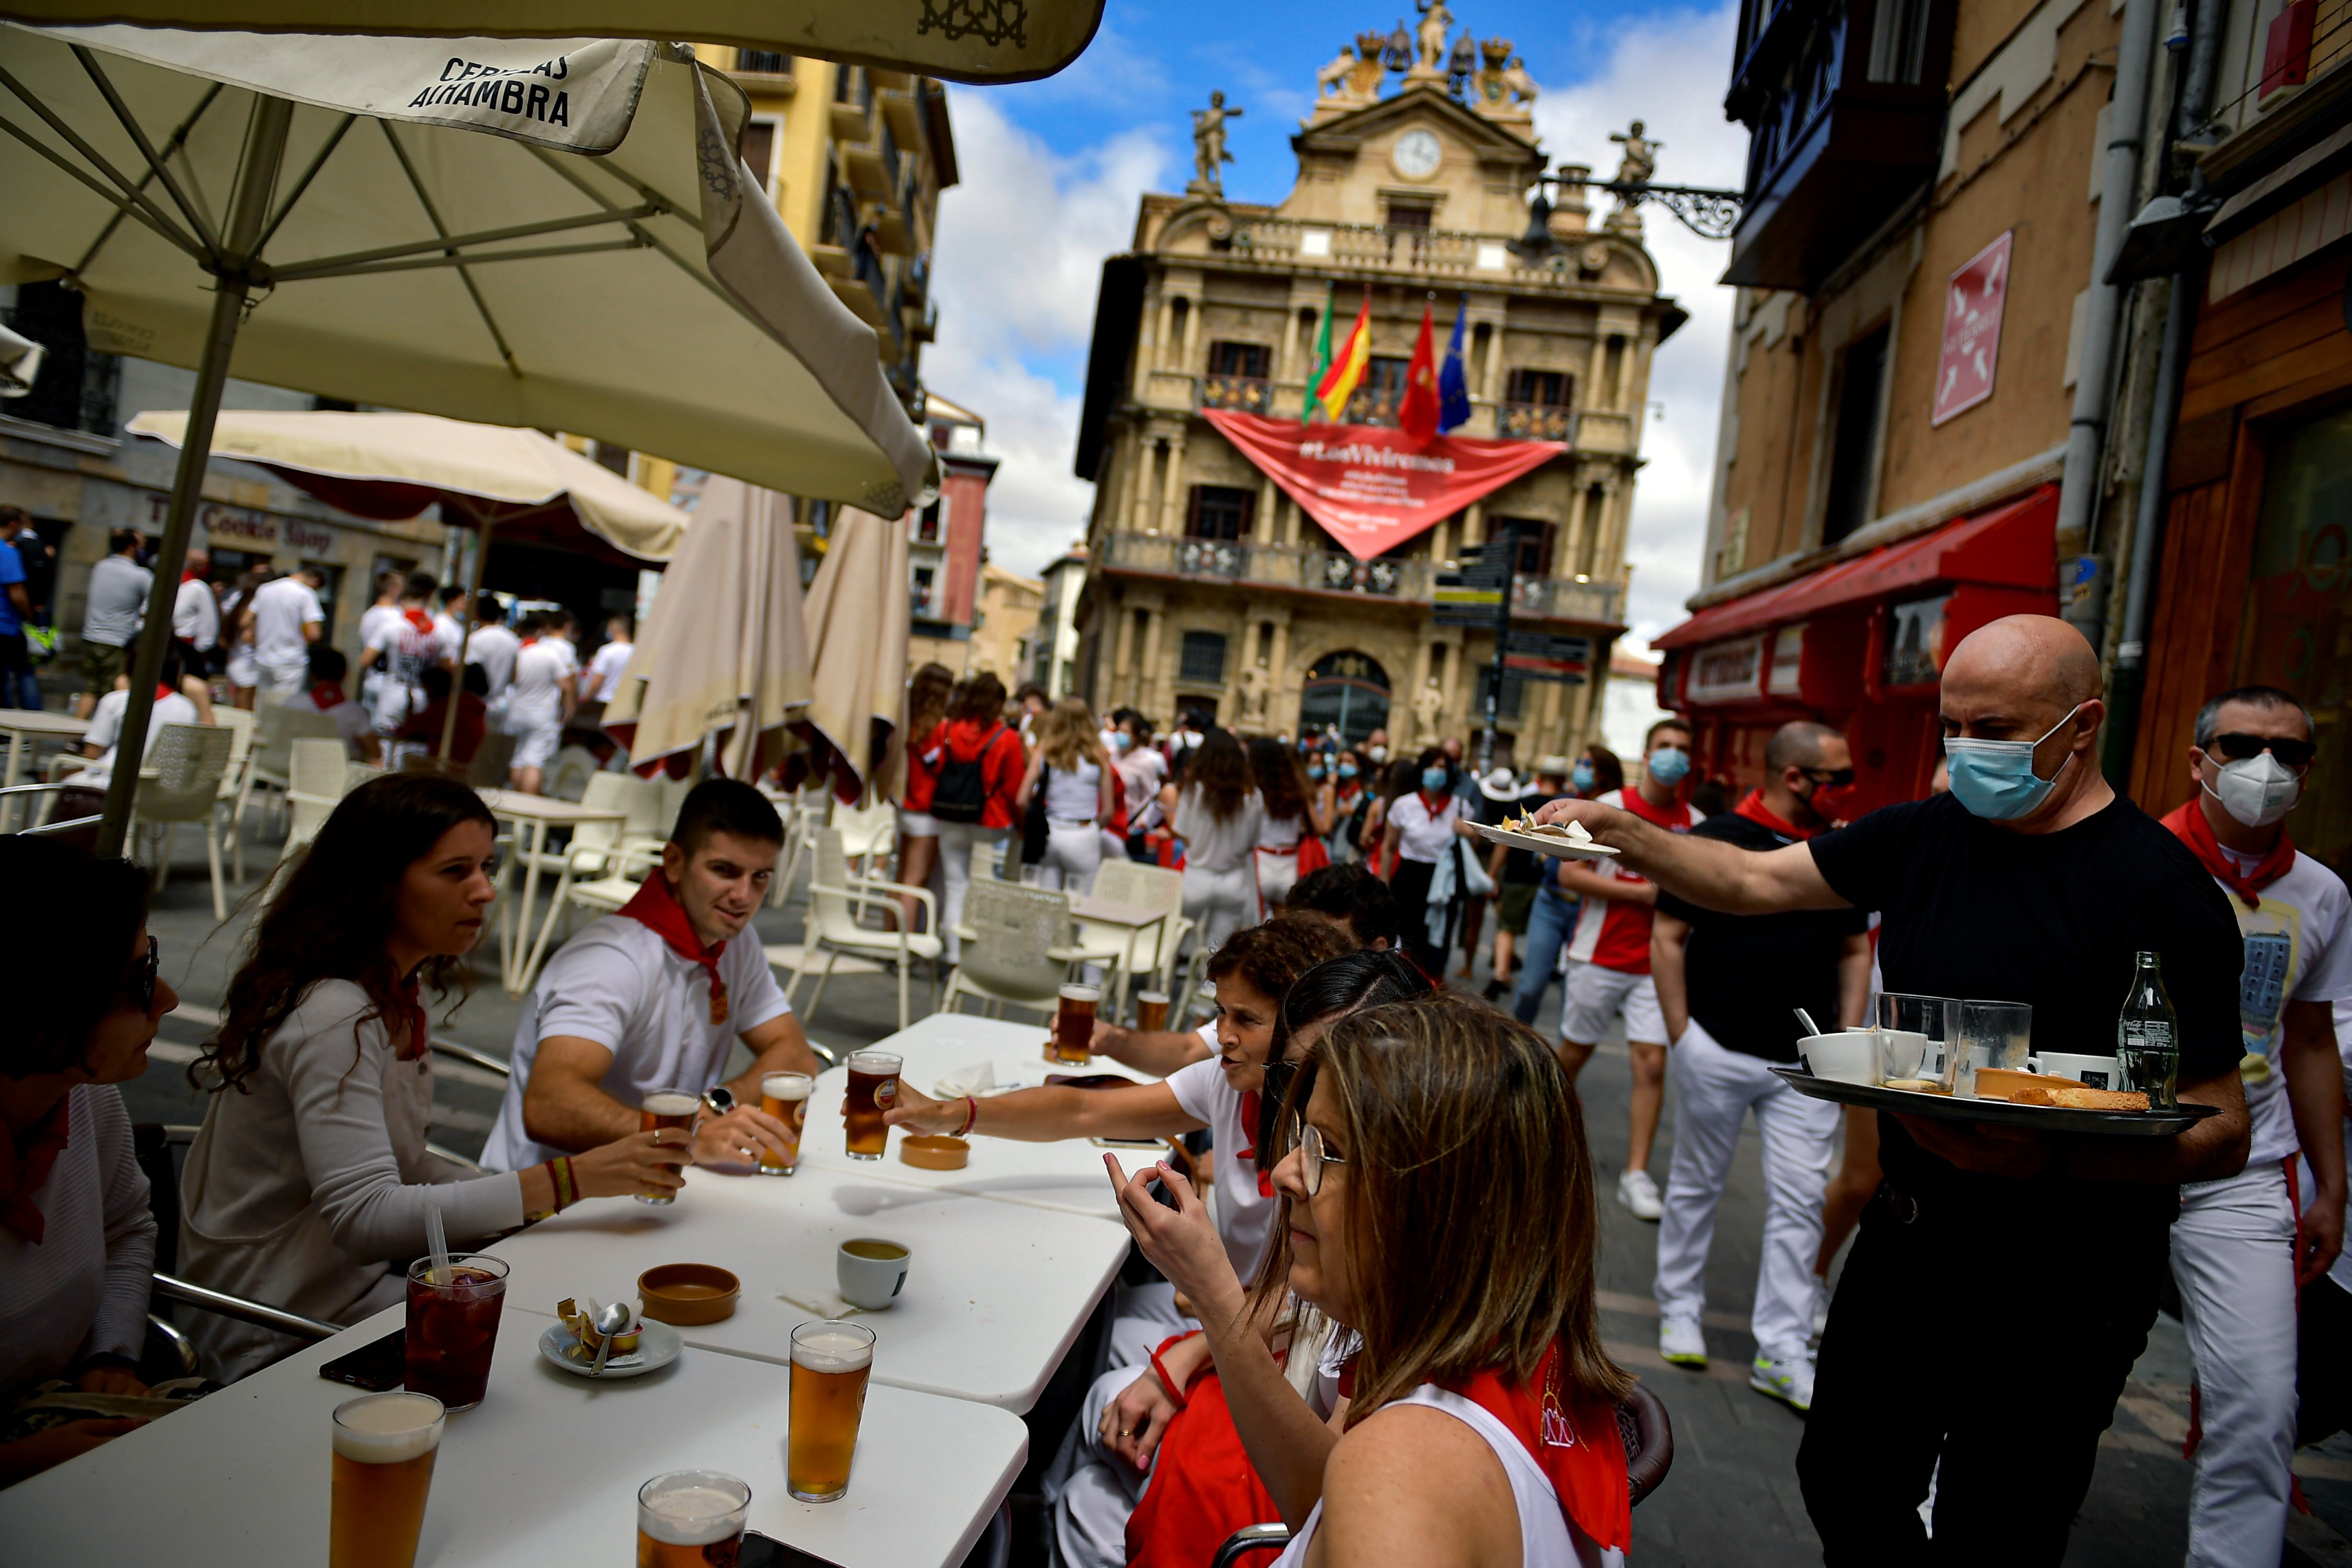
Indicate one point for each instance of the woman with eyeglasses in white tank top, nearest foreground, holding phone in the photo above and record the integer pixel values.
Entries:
(1438, 1200)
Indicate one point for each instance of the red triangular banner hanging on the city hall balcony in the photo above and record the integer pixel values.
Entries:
(1372, 488)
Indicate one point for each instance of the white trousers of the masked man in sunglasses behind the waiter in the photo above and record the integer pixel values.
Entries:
(2236, 1266)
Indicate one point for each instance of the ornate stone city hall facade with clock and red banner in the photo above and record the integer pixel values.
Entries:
(1283, 575)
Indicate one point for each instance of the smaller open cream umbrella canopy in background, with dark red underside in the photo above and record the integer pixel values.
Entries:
(394, 467)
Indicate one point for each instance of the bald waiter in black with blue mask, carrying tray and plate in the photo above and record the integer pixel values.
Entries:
(2003, 1282)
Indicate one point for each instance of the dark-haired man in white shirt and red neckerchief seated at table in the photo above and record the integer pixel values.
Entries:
(657, 996)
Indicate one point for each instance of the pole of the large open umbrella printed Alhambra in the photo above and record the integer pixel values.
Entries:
(265, 147)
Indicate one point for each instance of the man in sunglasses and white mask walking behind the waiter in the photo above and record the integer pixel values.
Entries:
(2236, 1245)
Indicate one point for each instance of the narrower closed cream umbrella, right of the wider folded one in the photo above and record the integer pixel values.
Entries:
(860, 631)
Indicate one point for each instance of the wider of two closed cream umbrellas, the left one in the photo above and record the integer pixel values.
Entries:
(723, 650)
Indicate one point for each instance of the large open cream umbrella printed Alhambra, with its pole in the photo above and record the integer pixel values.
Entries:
(521, 234)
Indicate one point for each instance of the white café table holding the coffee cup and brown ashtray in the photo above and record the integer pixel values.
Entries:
(996, 1294)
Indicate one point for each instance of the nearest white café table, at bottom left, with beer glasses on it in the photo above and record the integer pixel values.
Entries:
(544, 1470)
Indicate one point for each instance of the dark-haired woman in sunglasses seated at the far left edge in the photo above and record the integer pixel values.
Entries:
(76, 1235)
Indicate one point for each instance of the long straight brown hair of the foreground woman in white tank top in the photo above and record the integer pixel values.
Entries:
(1471, 1214)
